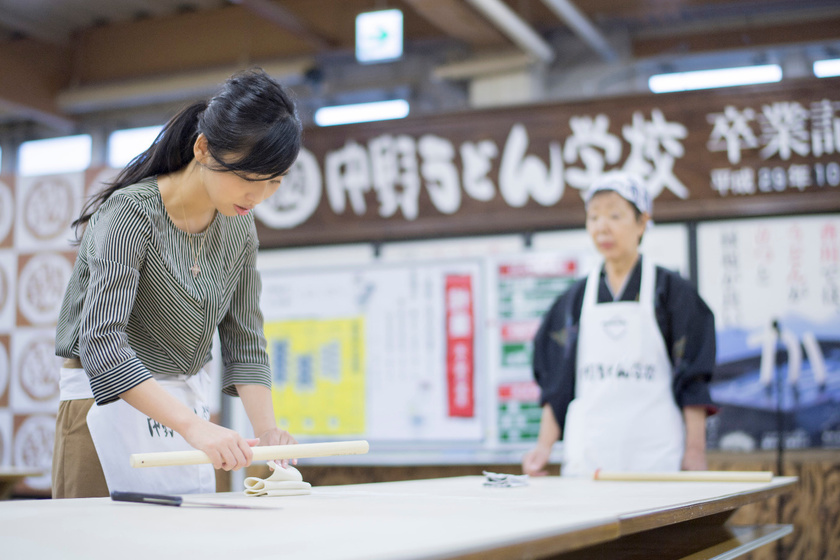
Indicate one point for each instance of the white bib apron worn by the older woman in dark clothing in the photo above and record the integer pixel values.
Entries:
(623, 416)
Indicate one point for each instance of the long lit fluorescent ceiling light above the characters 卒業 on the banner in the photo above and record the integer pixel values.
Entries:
(708, 79)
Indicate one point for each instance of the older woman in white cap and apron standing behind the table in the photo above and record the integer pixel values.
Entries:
(624, 357)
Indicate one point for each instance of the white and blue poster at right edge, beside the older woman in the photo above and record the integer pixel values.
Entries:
(774, 286)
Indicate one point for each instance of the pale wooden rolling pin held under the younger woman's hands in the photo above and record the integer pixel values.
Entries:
(261, 453)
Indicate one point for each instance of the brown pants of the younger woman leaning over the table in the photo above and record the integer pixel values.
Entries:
(76, 471)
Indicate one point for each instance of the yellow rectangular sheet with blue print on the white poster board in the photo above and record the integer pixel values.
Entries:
(318, 370)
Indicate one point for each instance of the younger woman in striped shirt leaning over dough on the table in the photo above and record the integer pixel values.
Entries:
(167, 259)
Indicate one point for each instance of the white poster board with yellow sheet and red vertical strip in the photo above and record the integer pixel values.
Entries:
(383, 352)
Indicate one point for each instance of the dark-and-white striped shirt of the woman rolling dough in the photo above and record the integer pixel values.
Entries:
(132, 306)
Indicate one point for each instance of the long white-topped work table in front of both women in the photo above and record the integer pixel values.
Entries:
(437, 518)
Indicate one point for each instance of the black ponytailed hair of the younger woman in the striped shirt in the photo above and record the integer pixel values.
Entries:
(252, 129)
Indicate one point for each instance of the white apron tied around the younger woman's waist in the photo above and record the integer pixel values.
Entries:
(118, 430)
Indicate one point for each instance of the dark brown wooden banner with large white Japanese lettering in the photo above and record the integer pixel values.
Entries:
(734, 152)
